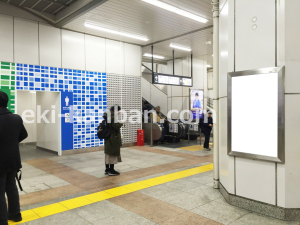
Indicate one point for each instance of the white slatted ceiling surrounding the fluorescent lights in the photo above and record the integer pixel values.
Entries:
(140, 18)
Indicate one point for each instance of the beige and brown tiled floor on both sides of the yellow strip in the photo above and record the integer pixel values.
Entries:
(49, 179)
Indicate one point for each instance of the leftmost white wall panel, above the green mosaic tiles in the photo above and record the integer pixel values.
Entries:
(6, 38)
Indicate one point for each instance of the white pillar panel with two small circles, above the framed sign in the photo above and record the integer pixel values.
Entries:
(255, 48)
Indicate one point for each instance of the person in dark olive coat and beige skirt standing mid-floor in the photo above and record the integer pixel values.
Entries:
(113, 143)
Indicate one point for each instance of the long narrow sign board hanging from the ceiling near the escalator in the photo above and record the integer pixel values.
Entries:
(167, 79)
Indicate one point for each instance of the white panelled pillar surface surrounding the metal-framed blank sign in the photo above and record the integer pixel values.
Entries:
(273, 43)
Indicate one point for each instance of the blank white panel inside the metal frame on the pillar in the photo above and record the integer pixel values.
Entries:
(254, 114)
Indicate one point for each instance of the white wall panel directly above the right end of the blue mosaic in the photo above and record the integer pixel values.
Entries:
(95, 53)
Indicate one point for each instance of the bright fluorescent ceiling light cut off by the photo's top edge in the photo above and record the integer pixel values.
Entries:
(176, 10)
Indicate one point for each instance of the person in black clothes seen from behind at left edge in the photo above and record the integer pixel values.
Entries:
(12, 132)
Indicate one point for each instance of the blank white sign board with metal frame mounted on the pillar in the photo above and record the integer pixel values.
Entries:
(256, 114)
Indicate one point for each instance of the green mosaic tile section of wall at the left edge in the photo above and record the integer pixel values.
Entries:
(7, 83)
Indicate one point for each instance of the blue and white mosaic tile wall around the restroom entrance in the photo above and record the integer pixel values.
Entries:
(89, 96)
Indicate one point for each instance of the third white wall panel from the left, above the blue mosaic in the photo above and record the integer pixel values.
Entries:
(50, 46)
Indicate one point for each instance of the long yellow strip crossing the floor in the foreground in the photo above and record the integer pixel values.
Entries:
(52, 209)
